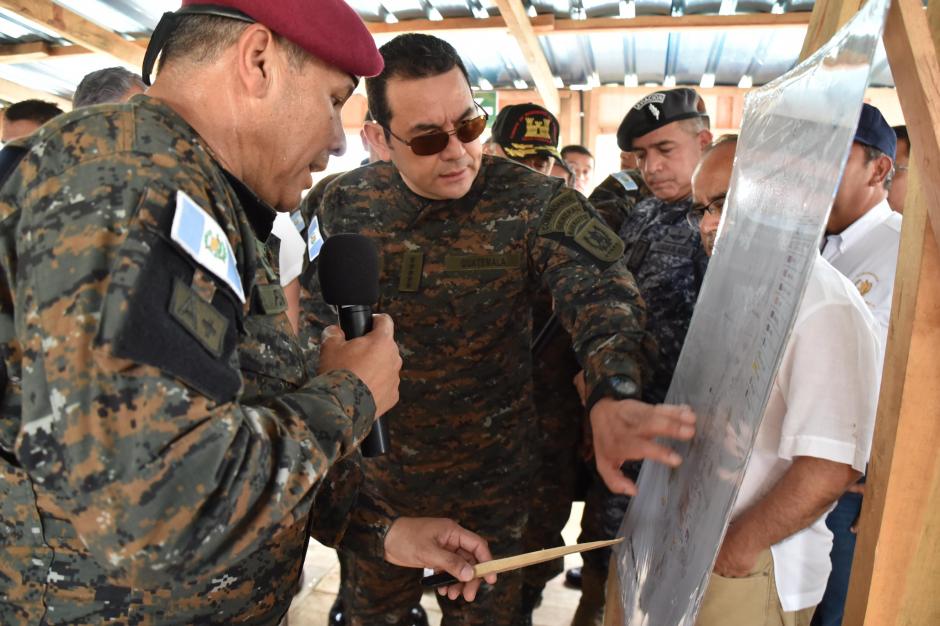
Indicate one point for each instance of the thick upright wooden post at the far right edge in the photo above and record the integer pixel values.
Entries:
(890, 575)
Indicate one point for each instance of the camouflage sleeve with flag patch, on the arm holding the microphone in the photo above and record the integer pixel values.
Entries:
(131, 421)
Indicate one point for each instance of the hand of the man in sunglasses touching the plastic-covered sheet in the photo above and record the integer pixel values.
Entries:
(625, 430)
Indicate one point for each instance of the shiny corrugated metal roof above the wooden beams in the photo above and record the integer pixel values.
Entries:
(493, 58)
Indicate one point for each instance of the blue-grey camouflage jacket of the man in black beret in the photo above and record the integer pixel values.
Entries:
(665, 255)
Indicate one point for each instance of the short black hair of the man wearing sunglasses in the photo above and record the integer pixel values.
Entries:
(412, 55)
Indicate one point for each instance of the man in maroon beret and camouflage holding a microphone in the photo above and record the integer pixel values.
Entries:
(161, 437)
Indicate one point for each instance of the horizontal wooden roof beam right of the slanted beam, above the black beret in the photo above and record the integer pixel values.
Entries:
(682, 23)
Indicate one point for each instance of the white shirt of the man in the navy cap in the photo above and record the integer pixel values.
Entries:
(867, 254)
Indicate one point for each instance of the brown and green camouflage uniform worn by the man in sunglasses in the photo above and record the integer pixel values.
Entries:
(459, 278)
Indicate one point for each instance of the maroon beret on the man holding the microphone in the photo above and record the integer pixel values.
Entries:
(328, 29)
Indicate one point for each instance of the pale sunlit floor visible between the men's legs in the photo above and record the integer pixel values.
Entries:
(312, 604)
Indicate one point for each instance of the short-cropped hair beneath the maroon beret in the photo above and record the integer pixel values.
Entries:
(202, 38)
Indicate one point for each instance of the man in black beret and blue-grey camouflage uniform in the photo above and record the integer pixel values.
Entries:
(668, 131)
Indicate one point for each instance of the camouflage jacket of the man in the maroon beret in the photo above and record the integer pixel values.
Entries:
(161, 439)
